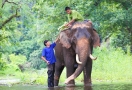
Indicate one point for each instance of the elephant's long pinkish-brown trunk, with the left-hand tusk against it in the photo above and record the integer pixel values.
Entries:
(81, 58)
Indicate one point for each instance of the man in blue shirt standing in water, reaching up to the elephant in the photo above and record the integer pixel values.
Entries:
(49, 57)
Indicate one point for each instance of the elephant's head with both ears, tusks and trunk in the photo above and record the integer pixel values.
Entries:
(82, 38)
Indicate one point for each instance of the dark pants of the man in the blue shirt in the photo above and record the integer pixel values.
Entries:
(51, 70)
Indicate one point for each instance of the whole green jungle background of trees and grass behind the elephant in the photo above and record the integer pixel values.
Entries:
(25, 24)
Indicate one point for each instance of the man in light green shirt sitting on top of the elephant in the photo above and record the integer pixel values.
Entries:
(73, 16)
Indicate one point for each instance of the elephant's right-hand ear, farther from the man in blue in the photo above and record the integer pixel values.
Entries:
(96, 39)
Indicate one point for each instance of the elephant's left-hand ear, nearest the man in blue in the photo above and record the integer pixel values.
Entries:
(65, 38)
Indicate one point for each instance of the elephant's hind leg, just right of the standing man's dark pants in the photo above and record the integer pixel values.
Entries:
(58, 71)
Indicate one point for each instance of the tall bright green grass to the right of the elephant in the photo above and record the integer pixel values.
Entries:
(112, 65)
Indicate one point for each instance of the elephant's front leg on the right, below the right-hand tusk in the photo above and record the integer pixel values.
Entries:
(87, 73)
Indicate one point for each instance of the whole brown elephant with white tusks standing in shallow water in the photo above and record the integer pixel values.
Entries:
(74, 47)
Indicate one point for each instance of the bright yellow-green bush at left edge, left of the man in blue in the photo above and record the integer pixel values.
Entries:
(10, 64)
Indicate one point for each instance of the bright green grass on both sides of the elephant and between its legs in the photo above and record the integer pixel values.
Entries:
(112, 65)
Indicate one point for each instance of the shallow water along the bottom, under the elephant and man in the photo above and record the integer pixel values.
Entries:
(93, 87)
